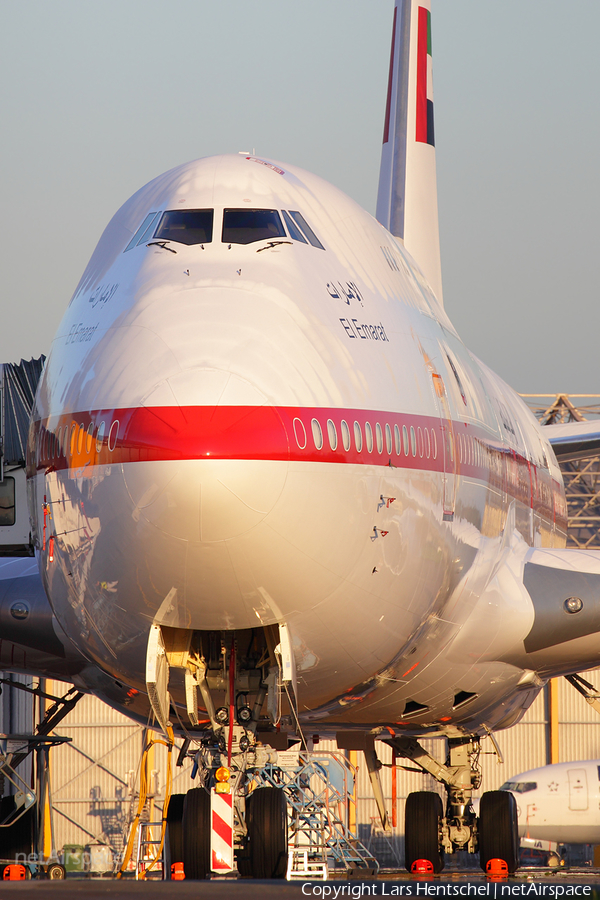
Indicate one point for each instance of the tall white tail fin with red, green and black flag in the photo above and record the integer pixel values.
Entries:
(407, 197)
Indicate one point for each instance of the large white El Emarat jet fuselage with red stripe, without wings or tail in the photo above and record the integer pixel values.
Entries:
(202, 434)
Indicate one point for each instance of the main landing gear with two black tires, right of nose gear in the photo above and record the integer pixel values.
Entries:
(431, 832)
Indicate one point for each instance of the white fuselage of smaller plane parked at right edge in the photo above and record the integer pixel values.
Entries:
(559, 802)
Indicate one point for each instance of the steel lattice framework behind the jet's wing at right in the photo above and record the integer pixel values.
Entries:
(582, 478)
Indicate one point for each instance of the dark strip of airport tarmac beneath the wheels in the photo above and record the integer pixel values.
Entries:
(535, 882)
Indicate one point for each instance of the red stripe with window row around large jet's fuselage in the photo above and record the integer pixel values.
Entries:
(326, 435)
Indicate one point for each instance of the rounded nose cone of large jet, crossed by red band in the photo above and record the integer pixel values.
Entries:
(224, 459)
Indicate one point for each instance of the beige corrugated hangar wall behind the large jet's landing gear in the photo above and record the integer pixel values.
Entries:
(90, 776)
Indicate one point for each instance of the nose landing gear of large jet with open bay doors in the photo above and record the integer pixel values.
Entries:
(236, 685)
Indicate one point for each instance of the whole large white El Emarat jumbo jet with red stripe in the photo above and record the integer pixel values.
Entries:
(271, 490)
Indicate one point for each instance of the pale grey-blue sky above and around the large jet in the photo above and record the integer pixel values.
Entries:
(99, 97)
